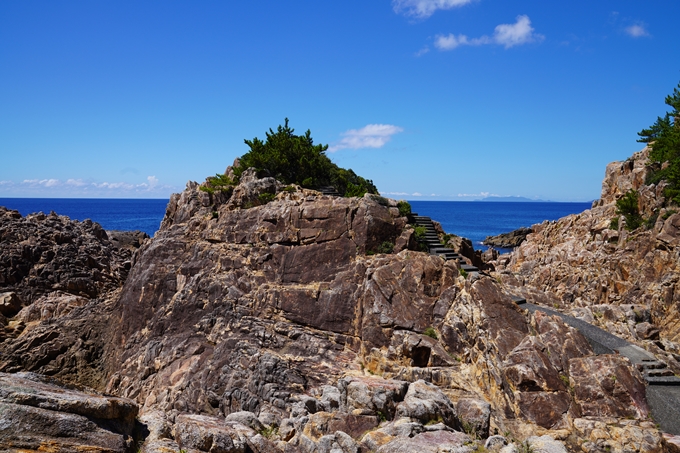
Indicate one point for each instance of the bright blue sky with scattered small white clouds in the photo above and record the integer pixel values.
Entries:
(431, 99)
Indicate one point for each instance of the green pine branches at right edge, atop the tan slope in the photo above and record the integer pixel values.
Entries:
(663, 137)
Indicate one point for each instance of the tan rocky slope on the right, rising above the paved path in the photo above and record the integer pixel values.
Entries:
(626, 282)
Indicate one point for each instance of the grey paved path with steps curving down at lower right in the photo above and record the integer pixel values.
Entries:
(663, 390)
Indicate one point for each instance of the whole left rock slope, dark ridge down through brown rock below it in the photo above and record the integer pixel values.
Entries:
(56, 276)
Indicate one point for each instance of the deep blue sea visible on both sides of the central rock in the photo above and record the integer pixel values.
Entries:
(471, 219)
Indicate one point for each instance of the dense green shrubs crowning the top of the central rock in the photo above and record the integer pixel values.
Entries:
(295, 159)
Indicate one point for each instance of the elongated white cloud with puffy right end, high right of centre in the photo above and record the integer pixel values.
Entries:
(506, 35)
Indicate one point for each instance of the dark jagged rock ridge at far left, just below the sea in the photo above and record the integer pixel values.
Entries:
(43, 253)
